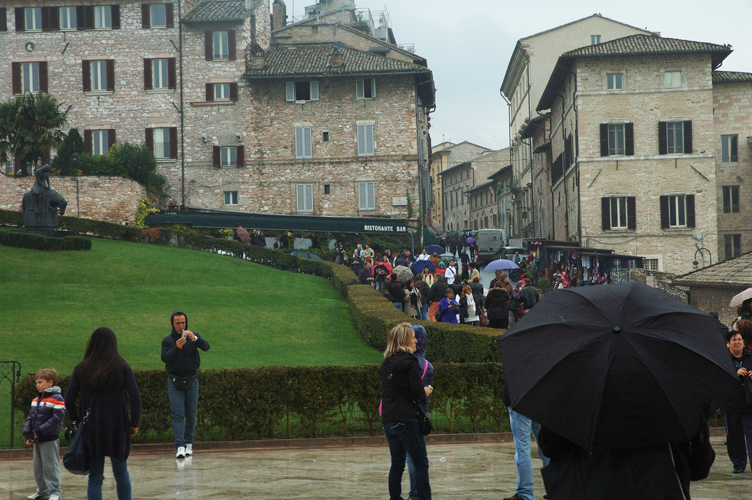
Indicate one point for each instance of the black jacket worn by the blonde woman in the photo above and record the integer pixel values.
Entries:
(400, 385)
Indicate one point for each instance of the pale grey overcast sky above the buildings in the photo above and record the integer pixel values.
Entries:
(468, 46)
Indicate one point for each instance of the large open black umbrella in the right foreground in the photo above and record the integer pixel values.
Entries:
(616, 366)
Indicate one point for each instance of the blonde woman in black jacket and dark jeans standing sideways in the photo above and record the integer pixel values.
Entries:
(401, 384)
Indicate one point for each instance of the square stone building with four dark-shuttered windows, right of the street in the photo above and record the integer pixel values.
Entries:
(634, 148)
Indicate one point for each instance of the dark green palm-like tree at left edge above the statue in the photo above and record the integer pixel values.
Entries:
(30, 125)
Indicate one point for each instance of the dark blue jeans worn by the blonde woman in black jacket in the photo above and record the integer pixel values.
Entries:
(405, 437)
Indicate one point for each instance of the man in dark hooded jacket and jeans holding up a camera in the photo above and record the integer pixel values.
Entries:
(182, 361)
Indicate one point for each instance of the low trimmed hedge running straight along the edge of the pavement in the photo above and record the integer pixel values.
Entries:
(280, 402)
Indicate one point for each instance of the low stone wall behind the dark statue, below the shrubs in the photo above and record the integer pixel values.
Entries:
(112, 199)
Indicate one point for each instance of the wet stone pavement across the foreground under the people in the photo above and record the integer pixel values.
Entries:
(458, 471)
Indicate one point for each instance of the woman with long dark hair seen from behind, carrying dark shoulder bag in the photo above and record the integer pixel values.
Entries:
(107, 386)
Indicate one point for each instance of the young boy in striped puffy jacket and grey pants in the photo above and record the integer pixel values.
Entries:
(42, 428)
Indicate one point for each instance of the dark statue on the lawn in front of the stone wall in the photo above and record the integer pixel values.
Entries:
(41, 204)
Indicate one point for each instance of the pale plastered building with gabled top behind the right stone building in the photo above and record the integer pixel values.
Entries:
(532, 61)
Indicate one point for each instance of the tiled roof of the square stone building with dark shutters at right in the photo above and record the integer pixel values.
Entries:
(633, 45)
